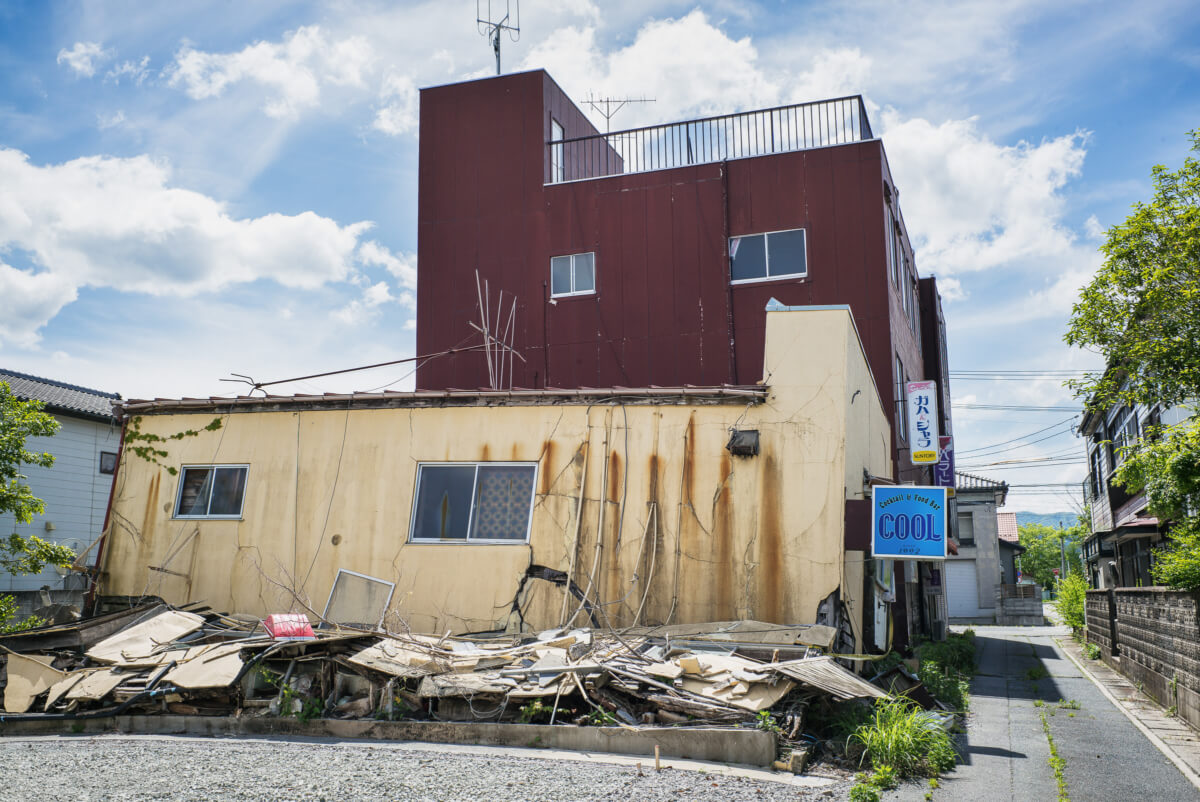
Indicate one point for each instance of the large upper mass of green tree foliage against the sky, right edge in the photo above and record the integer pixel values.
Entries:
(1142, 310)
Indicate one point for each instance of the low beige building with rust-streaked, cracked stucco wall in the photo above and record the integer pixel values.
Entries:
(517, 510)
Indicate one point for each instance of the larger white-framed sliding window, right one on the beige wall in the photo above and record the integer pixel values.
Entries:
(477, 502)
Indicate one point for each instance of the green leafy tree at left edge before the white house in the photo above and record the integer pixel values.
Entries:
(23, 555)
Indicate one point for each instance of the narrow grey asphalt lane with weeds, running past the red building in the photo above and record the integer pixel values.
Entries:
(1027, 685)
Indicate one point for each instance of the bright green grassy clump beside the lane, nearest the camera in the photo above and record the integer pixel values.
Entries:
(907, 739)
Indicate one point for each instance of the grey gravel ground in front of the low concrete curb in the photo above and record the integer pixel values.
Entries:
(119, 768)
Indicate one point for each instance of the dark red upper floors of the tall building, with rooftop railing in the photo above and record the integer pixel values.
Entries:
(647, 258)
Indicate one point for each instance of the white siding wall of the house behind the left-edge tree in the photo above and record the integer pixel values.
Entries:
(75, 492)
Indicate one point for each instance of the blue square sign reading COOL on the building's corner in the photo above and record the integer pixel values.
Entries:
(909, 523)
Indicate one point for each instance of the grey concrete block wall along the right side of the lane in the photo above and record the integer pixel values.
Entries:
(1159, 643)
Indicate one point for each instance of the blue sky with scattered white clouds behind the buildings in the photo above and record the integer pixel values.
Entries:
(194, 189)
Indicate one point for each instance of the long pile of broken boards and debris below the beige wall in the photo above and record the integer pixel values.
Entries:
(194, 661)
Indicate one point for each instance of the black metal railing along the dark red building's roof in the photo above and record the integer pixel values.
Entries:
(785, 129)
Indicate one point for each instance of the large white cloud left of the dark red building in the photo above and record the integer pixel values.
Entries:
(119, 224)
